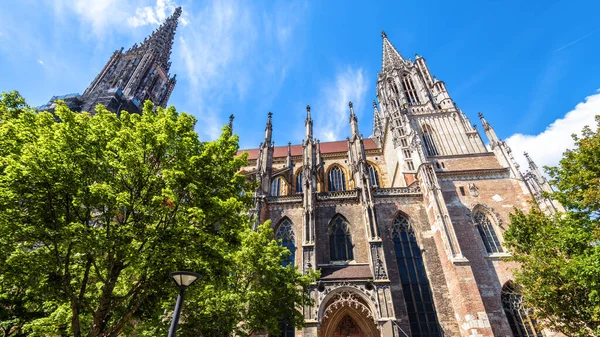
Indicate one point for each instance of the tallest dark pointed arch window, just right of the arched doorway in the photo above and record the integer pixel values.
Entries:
(415, 284)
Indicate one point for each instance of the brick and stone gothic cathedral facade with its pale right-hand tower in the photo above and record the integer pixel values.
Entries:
(406, 227)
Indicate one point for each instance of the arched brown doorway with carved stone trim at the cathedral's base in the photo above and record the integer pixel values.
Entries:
(347, 314)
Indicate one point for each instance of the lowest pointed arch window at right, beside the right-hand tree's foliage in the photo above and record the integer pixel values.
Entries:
(519, 317)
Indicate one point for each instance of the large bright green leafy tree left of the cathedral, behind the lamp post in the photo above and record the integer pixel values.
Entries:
(96, 210)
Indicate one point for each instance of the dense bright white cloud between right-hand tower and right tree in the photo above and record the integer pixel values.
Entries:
(546, 148)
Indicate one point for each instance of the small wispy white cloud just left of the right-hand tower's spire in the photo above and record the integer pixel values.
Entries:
(332, 113)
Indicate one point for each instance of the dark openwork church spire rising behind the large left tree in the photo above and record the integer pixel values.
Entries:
(131, 77)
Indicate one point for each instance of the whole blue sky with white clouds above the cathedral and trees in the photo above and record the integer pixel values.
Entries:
(532, 67)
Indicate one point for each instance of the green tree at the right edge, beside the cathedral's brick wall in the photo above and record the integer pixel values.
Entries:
(560, 255)
